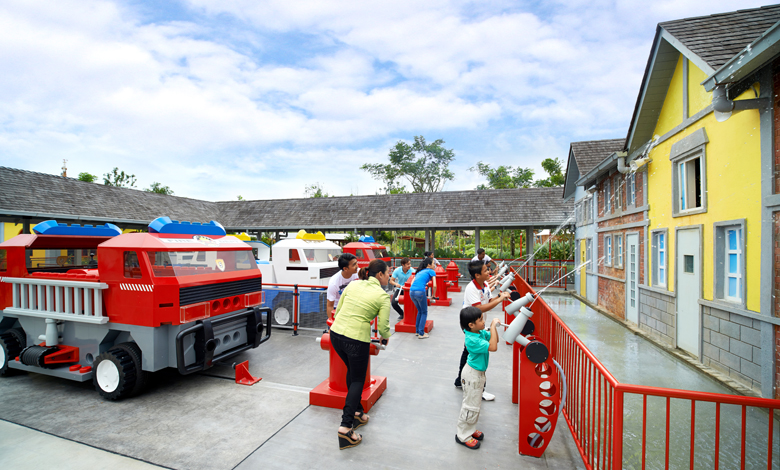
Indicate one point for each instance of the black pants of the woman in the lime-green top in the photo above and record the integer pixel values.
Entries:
(355, 355)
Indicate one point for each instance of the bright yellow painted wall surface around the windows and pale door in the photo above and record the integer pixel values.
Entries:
(733, 185)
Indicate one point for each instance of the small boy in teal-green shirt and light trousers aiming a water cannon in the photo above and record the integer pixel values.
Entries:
(479, 344)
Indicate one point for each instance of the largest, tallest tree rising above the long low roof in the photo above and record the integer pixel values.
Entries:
(423, 165)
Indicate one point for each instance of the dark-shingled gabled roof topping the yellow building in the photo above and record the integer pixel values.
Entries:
(710, 42)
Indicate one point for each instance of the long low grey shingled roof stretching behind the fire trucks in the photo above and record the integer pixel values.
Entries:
(27, 195)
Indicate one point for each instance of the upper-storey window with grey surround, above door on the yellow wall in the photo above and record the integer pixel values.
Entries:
(689, 174)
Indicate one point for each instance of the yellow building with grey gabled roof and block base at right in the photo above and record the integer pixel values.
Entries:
(702, 131)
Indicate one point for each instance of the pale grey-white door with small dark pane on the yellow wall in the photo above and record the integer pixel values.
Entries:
(688, 272)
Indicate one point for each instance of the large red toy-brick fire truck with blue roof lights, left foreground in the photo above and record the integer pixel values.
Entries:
(90, 303)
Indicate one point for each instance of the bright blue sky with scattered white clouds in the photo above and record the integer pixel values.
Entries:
(224, 98)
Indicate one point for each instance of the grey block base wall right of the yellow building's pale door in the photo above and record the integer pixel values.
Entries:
(732, 345)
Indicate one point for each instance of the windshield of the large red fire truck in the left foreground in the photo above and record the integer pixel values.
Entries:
(193, 263)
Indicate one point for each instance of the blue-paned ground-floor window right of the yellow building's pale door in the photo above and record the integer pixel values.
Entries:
(730, 261)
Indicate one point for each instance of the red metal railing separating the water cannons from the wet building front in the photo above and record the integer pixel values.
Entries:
(595, 406)
